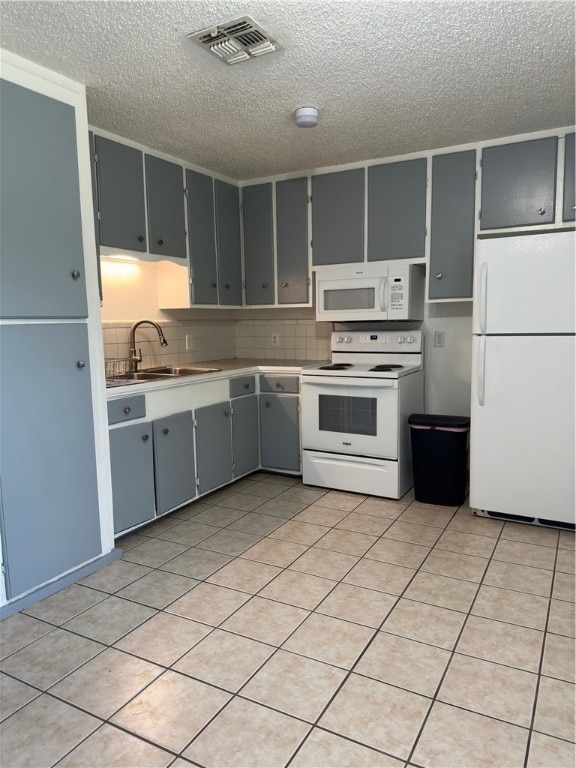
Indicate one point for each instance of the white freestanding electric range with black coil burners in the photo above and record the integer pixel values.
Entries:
(355, 409)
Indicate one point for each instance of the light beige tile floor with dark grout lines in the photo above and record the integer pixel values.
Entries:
(274, 624)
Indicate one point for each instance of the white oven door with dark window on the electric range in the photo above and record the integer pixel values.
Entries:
(355, 416)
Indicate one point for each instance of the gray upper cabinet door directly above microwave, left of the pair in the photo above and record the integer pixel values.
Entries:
(338, 217)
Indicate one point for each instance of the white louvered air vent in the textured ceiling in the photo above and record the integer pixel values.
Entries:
(236, 40)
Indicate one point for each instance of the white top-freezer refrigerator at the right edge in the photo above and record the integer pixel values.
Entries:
(522, 411)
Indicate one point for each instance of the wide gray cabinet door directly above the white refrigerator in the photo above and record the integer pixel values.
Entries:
(519, 184)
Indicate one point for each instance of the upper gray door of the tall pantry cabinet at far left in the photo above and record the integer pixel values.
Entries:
(42, 267)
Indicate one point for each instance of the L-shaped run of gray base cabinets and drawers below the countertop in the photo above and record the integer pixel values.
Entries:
(172, 444)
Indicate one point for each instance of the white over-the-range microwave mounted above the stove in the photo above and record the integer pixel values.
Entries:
(377, 291)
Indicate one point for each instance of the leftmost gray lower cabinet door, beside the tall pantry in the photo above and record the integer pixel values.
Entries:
(132, 462)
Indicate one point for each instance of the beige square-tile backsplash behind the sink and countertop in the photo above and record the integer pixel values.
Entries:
(221, 339)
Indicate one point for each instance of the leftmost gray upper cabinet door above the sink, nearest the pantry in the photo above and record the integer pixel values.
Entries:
(120, 174)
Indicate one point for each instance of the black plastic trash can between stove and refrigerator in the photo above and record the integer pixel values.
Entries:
(439, 457)
